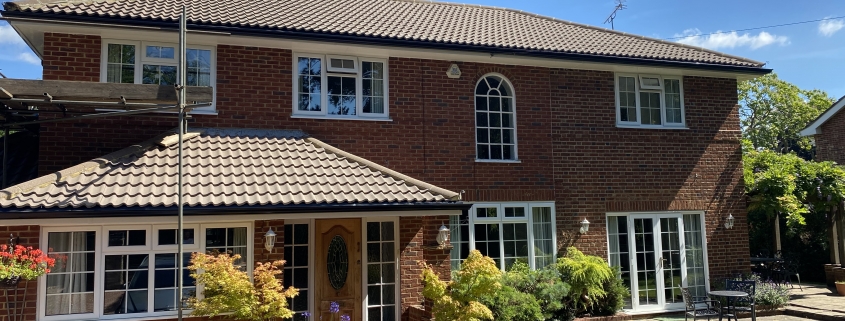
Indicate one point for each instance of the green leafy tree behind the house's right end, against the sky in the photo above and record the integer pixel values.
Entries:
(773, 112)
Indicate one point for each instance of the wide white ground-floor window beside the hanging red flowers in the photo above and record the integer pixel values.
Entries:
(127, 271)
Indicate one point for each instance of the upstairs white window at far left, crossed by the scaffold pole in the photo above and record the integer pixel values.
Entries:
(144, 62)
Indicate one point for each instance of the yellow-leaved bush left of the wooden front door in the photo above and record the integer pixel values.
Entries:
(227, 289)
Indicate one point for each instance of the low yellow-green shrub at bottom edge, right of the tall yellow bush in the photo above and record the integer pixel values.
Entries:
(509, 304)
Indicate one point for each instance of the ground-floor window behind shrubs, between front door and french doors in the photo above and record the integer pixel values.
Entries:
(506, 232)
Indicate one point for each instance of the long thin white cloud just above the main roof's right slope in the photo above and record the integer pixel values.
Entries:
(730, 39)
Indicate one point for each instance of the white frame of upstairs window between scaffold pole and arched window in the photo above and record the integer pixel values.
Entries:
(359, 89)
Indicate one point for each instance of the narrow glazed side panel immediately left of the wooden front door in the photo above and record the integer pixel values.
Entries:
(297, 267)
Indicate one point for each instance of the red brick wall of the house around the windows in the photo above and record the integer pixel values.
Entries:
(570, 150)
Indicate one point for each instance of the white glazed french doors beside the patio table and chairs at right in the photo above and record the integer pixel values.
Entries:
(658, 254)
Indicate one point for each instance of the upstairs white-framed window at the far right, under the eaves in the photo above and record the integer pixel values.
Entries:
(649, 101)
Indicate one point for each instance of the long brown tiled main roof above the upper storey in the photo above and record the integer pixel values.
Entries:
(415, 21)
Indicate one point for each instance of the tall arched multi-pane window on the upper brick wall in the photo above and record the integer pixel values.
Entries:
(495, 120)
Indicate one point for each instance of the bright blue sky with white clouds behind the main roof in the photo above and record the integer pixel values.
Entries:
(809, 55)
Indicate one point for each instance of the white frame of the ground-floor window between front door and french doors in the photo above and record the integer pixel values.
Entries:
(501, 219)
